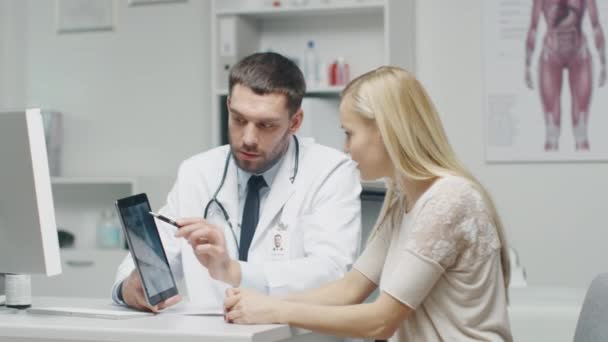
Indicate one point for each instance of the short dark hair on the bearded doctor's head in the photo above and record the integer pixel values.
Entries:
(267, 73)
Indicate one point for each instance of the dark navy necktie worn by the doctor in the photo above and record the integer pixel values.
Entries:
(251, 214)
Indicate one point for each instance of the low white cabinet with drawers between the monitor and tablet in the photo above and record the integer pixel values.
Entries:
(87, 271)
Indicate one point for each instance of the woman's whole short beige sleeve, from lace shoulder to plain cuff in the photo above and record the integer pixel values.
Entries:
(449, 226)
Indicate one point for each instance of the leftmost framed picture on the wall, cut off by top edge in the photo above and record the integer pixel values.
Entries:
(84, 15)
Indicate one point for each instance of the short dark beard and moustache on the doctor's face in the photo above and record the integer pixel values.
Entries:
(267, 160)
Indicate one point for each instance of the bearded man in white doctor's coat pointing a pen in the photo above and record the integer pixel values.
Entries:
(234, 200)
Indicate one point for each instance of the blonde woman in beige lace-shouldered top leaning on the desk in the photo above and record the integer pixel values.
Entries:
(437, 253)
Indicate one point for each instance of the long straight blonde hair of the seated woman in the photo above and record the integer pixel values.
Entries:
(413, 136)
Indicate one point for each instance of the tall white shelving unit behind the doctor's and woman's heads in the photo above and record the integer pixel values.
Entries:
(367, 33)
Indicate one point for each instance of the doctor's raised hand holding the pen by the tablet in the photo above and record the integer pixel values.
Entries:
(209, 246)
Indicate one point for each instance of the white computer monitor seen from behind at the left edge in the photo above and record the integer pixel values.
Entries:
(28, 232)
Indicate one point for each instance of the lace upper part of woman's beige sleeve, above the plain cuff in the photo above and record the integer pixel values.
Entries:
(453, 223)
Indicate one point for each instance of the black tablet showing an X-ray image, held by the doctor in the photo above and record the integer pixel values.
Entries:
(146, 248)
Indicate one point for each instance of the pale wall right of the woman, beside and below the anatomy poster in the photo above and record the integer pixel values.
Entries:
(553, 212)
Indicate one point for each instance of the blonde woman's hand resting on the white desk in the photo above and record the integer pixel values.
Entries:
(243, 306)
